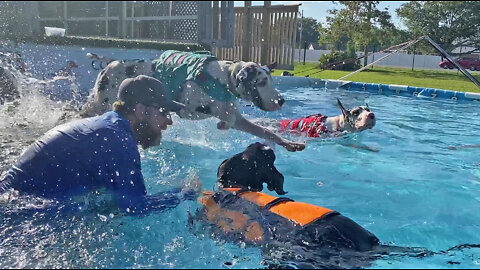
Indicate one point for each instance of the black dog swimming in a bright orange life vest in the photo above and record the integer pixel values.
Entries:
(288, 231)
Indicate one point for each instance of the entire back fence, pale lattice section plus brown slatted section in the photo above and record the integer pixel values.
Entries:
(262, 34)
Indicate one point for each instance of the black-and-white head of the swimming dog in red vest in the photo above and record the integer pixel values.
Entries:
(357, 119)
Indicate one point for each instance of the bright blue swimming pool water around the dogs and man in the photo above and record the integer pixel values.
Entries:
(413, 180)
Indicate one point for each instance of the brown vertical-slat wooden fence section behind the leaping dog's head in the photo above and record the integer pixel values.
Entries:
(263, 34)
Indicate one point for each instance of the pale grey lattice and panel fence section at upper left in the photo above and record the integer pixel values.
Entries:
(173, 21)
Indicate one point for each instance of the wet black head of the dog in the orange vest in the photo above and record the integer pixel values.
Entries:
(250, 169)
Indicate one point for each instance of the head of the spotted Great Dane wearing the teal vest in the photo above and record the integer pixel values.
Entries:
(254, 83)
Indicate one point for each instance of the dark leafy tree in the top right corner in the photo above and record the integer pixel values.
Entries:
(449, 23)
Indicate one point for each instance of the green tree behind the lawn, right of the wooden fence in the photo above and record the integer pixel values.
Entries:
(358, 21)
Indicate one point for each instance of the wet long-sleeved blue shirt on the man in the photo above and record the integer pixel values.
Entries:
(82, 155)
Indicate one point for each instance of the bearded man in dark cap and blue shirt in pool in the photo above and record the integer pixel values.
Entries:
(102, 152)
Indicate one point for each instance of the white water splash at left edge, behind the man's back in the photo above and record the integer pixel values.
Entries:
(38, 109)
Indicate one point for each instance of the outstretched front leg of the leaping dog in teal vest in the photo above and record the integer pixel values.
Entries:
(264, 133)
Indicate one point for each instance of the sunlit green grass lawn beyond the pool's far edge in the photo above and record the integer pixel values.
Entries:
(450, 80)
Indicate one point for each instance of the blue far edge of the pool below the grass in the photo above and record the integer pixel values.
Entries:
(403, 90)
